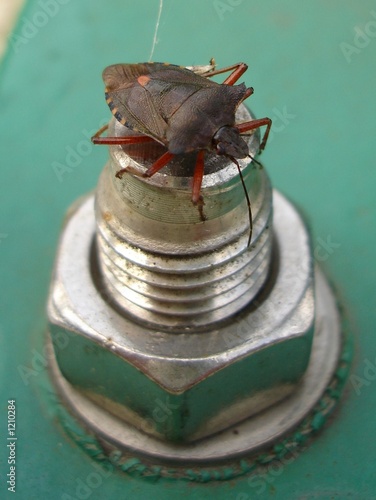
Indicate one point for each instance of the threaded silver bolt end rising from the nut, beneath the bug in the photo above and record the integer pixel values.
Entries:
(164, 266)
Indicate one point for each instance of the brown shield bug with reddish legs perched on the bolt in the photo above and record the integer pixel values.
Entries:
(185, 111)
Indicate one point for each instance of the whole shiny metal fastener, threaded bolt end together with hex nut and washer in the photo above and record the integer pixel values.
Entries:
(176, 327)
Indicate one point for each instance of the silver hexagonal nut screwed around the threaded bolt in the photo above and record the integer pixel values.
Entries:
(183, 387)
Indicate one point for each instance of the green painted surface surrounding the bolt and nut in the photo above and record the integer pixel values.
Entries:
(312, 65)
